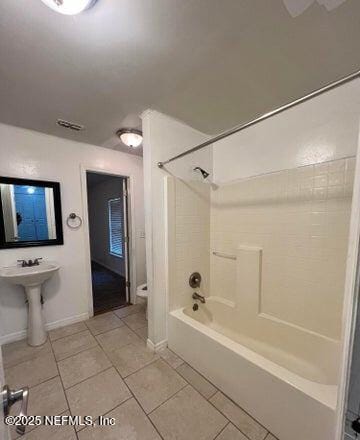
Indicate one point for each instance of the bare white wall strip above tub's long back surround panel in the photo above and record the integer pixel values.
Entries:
(322, 129)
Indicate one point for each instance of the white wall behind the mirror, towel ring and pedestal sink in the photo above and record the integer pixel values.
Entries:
(28, 154)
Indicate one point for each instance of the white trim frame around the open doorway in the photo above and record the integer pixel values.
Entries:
(131, 233)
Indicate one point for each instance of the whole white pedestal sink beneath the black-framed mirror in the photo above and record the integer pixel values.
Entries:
(32, 278)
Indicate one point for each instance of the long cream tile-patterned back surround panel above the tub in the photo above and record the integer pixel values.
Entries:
(299, 219)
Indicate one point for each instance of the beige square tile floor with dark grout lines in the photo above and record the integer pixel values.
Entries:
(102, 367)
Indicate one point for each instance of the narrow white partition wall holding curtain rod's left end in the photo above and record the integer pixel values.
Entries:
(163, 138)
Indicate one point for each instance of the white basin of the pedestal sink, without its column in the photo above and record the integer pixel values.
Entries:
(29, 276)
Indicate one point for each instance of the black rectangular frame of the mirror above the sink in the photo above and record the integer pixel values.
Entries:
(58, 216)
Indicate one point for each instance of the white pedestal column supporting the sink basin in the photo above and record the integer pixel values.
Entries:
(36, 326)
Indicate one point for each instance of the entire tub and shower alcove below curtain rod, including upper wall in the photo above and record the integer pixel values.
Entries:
(271, 243)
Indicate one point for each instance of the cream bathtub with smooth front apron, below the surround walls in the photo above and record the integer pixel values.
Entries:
(284, 377)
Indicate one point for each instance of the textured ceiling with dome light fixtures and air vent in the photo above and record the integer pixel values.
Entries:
(210, 63)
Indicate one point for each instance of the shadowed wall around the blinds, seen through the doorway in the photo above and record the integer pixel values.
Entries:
(98, 196)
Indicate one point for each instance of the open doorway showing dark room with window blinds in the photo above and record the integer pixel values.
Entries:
(109, 240)
